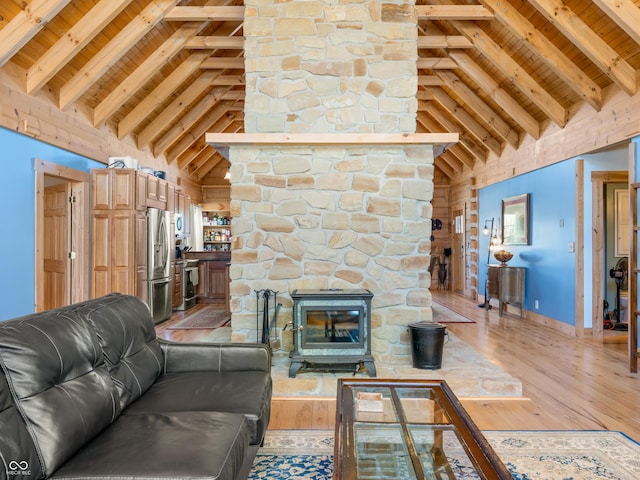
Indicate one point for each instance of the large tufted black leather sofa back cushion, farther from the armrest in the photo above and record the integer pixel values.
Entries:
(59, 381)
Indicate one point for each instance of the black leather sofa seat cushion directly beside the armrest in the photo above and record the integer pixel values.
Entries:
(247, 393)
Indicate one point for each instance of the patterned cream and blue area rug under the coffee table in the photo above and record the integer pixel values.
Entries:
(529, 455)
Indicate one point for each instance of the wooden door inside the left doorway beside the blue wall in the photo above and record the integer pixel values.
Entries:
(57, 227)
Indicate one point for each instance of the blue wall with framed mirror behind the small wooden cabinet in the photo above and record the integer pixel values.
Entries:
(550, 265)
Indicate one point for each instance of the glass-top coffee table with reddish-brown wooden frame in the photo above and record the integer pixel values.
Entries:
(408, 429)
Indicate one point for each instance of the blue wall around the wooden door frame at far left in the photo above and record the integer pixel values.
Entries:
(17, 197)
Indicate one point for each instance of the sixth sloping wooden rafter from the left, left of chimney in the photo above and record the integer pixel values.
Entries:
(176, 108)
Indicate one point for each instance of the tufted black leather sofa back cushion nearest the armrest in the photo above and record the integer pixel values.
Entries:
(128, 339)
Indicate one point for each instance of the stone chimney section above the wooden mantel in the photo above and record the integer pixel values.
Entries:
(330, 66)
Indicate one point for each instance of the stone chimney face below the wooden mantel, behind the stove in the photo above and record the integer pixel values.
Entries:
(328, 217)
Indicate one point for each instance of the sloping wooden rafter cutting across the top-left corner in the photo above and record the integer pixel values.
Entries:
(26, 24)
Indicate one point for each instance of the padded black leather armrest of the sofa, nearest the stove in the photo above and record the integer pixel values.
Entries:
(215, 357)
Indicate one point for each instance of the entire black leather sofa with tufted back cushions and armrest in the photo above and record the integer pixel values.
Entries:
(88, 391)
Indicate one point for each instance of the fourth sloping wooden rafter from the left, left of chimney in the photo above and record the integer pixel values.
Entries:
(152, 64)
